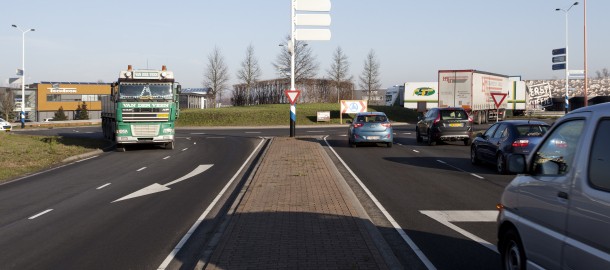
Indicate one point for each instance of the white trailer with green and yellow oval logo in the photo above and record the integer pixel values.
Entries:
(421, 96)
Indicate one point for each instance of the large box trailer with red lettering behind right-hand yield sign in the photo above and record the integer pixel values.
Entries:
(473, 89)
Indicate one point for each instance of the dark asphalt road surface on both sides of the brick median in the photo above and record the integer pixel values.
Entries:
(445, 205)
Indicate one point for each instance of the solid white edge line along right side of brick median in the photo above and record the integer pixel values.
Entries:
(420, 254)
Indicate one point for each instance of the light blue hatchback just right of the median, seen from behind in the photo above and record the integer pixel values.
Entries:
(370, 127)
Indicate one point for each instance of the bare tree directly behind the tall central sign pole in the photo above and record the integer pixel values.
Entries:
(305, 66)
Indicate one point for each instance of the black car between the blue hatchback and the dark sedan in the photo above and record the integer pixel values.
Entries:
(444, 124)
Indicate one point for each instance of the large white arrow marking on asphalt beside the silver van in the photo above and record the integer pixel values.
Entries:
(446, 217)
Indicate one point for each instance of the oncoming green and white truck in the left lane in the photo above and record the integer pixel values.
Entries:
(142, 108)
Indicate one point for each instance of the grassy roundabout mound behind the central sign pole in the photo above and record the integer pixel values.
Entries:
(279, 114)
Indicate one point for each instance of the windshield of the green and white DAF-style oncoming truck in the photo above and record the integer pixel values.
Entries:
(146, 91)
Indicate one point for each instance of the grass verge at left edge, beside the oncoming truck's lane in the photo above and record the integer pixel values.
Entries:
(24, 154)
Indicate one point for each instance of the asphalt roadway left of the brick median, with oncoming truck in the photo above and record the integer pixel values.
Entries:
(69, 217)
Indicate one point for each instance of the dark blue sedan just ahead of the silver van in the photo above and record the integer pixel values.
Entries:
(506, 137)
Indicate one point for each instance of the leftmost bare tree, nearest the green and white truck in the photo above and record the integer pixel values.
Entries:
(216, 75)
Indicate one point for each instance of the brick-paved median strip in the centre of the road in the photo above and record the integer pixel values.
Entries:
(298, 213)
